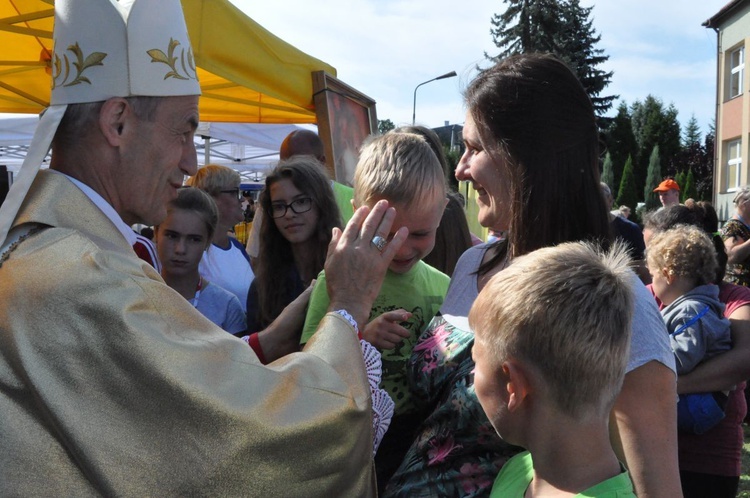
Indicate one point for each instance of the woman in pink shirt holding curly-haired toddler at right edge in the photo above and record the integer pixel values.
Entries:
(711, 463)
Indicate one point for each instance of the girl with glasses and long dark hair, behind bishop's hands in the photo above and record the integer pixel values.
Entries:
(299, 200)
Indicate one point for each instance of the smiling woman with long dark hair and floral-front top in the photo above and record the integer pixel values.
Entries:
(532, 154)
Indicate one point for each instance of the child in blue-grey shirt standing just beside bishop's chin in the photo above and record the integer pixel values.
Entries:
(181, 240)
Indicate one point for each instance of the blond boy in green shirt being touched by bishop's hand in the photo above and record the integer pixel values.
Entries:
(402, 169)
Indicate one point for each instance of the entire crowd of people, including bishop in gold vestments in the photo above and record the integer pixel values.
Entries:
(361, 343)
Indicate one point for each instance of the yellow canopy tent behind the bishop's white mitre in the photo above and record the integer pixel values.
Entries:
(246, 73)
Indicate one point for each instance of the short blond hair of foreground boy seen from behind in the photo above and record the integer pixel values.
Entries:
(566, 312)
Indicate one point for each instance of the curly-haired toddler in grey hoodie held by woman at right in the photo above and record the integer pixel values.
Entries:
(682, 262)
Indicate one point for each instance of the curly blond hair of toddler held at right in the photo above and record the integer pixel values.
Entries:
(684, 251)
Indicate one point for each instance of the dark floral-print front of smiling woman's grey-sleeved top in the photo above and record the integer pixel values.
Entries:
(457, 451)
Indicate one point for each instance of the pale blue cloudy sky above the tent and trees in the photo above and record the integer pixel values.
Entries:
(385, 48)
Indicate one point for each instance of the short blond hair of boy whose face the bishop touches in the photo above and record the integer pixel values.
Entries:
(398, 167)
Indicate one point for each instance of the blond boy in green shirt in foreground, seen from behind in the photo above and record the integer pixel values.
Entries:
(548, 369)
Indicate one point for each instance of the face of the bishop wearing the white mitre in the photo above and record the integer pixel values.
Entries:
(158, 156)
